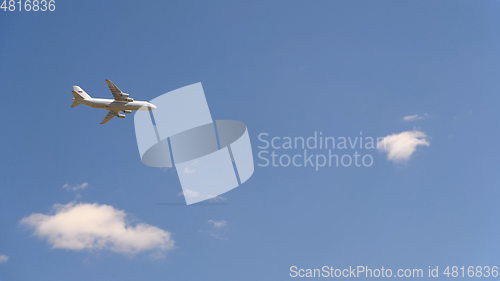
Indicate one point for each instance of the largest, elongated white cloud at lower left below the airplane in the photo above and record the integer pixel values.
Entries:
(84, 226)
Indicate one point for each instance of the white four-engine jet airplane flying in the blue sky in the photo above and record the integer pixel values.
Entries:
(118, 106)
